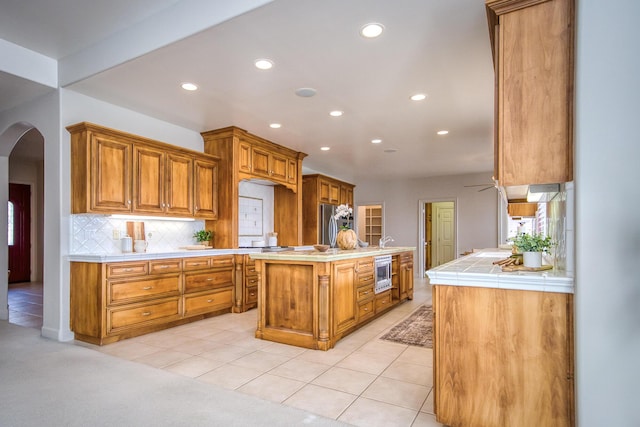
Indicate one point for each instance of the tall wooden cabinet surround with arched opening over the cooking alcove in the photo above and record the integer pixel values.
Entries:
(244, 156)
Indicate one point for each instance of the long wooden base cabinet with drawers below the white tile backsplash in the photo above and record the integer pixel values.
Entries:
(113, 301)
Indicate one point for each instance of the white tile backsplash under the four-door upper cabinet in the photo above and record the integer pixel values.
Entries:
(93, 234)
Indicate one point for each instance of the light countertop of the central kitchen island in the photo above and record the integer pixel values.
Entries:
(330, 255)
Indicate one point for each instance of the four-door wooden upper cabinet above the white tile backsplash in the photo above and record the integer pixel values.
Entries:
(116, 172)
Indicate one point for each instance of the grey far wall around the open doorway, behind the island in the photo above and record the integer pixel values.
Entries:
(476, 211)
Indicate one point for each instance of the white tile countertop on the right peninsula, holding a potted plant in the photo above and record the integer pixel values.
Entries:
(478, 270)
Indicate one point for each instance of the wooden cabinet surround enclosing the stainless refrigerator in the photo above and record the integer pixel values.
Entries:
(320, 189)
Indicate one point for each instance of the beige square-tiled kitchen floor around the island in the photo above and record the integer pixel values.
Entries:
(363, 381)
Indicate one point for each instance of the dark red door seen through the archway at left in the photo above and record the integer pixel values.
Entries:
(19, 233)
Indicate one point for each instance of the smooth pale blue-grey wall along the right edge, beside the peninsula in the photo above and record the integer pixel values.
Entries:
(607, 213)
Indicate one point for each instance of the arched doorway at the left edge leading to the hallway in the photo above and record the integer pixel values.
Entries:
(22, 151)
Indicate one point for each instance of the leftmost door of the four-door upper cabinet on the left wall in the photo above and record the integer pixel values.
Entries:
(110, 175)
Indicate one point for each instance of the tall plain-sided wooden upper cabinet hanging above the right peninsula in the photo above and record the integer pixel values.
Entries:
(532, 43)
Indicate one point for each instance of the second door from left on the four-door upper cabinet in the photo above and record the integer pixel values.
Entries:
(148, 179)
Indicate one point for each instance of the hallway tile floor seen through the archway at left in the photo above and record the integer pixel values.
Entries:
(25, 304)
